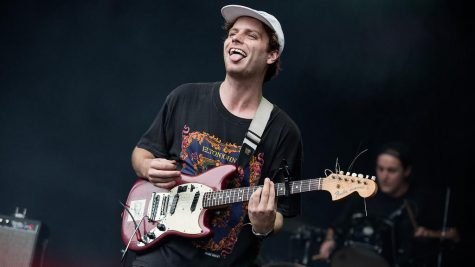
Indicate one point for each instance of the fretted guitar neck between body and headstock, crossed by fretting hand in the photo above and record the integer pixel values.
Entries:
(242, 194)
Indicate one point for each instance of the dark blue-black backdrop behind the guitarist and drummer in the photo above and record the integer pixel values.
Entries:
(80, 81)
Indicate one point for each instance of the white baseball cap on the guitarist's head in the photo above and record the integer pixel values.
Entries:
(232, 12)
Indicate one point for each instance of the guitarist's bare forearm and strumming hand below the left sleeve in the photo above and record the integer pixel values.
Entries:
(159, 171)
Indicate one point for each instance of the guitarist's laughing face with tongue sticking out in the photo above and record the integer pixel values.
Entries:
(245, 49)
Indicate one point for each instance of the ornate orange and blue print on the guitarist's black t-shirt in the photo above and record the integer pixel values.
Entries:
(201, 151)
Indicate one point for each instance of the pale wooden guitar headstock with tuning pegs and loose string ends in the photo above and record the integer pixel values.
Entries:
(341, 185)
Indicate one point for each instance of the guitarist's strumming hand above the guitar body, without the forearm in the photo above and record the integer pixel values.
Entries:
(162, 172)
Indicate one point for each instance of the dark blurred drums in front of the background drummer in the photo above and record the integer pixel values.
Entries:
(367, 242)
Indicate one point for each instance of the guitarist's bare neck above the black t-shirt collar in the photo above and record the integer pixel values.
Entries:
(241, 98)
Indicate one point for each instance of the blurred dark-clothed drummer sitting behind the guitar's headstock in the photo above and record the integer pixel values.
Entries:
(398, 223)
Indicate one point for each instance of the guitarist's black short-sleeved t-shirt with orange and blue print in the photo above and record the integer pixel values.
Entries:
(193, 126)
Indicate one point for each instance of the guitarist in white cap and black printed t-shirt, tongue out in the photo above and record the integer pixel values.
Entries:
(201, 126)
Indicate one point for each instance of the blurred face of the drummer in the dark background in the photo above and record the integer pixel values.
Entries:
(391, 175)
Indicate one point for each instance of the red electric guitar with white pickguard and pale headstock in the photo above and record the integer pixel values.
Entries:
(151, 213)
